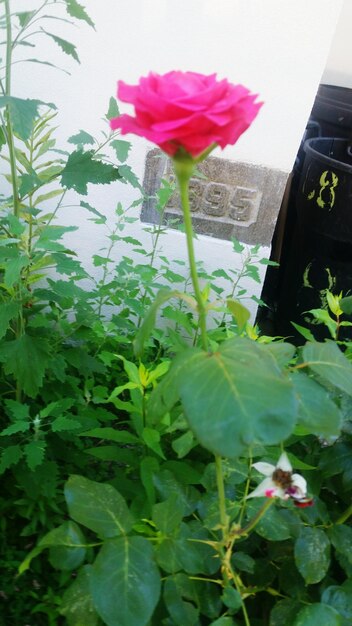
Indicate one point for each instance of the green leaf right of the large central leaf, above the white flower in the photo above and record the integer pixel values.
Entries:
(317, 413)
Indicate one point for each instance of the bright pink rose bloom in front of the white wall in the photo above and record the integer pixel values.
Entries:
(186, 110)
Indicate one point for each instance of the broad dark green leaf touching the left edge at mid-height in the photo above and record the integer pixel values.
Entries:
(26, 359)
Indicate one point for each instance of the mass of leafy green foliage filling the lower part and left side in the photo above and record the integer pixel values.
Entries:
(110, 400)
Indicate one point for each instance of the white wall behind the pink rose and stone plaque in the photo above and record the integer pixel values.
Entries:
(277, 48)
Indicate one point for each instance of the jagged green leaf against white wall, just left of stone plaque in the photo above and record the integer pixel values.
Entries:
(82, 168)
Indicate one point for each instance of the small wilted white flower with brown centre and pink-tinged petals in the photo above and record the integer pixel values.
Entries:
(280, 482)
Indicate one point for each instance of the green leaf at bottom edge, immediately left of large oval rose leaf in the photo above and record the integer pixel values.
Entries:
(77, 605)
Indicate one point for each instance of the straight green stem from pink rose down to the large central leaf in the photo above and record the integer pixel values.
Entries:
(184, 171)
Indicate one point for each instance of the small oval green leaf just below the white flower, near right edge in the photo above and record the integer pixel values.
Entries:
(312, 554)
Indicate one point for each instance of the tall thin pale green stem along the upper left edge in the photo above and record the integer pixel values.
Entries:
(9, 129)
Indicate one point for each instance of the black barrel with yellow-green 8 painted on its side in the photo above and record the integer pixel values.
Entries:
(320, 257)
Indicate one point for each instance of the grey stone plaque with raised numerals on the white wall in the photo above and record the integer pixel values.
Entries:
(227, 199)
